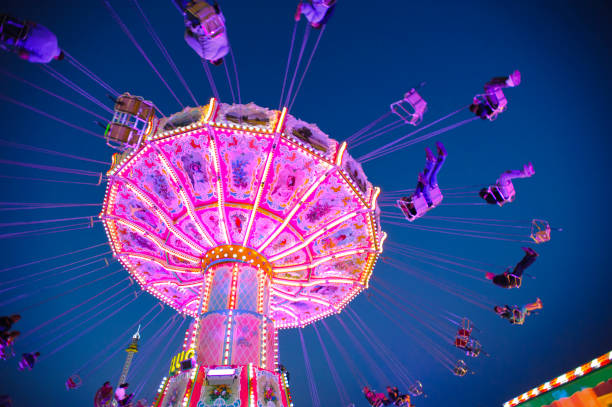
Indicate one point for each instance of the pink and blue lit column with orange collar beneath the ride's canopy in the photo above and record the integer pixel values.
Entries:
(234, 324)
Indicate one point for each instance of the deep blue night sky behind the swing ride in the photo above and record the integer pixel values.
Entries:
(370, 54)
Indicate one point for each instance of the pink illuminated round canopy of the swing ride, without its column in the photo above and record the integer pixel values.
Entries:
(248, 176)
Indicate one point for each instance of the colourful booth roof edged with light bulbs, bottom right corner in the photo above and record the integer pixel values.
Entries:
(589, 385)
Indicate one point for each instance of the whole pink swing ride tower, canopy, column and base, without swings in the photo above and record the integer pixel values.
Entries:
(248, 220)
